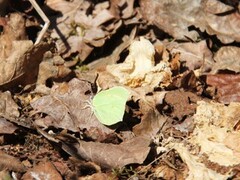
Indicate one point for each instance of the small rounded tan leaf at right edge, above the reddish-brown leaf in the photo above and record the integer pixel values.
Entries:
(227, 58)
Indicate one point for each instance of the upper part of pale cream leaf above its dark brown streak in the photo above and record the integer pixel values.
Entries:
(214, 123)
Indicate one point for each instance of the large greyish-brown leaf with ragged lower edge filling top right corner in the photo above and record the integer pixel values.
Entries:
(175, 17)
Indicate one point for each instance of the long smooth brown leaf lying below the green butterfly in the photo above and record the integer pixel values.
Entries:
(132, 151)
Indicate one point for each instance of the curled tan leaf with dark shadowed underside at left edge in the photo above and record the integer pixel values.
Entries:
(15, 69)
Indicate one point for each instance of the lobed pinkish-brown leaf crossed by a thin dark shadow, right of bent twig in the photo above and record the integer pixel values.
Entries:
(79, 31)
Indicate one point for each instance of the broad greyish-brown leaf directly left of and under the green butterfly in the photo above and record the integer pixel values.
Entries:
(68, 107)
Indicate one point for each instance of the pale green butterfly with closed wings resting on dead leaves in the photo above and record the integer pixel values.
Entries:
(109, 105)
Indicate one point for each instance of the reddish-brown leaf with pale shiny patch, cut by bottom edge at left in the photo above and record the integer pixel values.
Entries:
(44, 170)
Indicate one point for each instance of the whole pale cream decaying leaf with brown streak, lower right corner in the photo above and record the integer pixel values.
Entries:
(213, 141)
